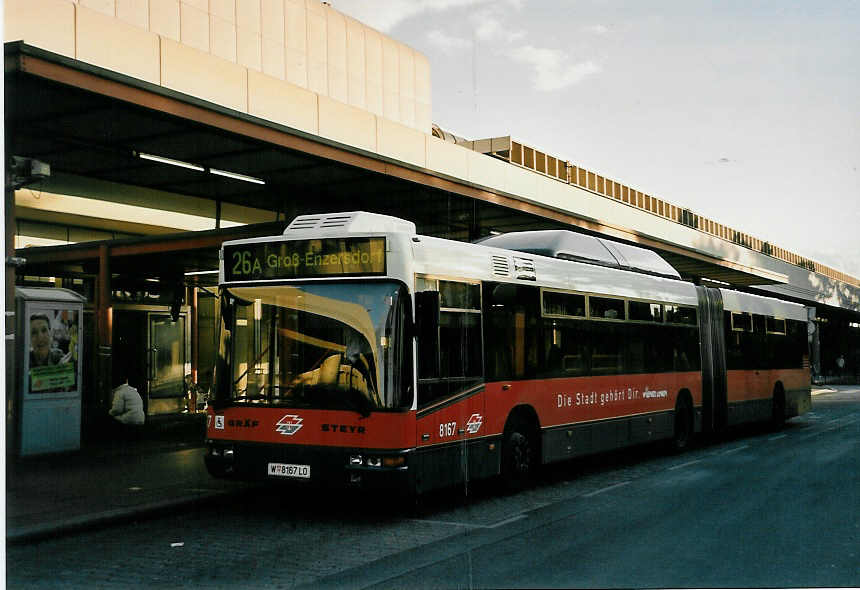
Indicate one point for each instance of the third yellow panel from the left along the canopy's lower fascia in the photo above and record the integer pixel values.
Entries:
(204, 76)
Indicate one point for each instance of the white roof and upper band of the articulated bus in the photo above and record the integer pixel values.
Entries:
(554, 259)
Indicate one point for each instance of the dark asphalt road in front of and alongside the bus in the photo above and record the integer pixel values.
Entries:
(755, 509)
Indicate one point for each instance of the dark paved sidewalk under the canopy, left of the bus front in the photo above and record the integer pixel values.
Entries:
(108, 481)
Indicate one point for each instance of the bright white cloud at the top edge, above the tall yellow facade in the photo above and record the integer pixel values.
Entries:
(384, 15)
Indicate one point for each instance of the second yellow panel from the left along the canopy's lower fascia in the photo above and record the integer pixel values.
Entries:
(113, 44)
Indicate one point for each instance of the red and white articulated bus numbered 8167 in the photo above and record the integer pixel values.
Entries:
(356, 352)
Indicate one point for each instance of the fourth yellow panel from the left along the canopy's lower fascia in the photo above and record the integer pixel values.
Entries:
(281, 102)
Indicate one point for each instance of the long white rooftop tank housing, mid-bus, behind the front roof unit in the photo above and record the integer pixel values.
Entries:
(569, 245)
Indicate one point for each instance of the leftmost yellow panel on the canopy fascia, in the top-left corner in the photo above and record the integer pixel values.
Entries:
(49, 24)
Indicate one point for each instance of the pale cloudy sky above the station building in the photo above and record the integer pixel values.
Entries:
(746, 112)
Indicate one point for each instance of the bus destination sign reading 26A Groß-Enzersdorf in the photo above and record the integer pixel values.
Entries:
(296, 259)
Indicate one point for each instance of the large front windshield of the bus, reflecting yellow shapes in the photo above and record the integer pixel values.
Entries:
(339, 346)
